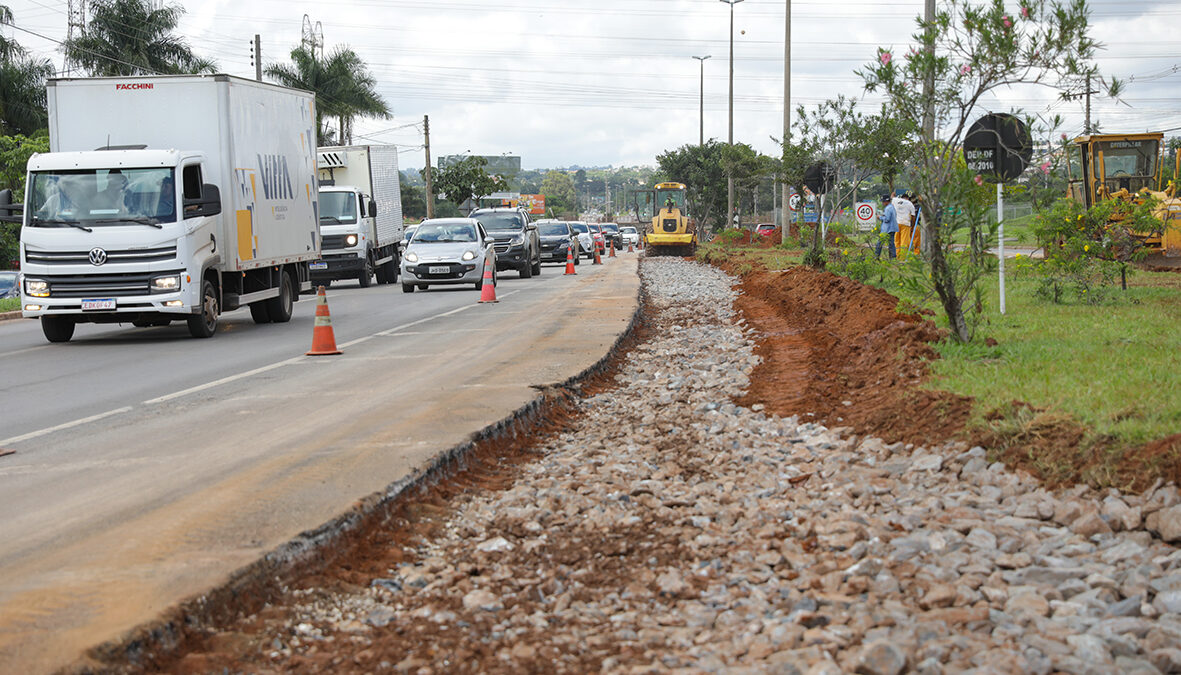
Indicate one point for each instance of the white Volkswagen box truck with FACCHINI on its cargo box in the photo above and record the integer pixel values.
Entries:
(169, 198)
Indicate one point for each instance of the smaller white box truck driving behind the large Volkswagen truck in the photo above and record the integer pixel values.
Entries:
(361, 214)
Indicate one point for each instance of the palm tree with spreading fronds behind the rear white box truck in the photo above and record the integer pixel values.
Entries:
(343, 87)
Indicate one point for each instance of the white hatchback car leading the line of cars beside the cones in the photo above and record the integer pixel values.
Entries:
(447, 252)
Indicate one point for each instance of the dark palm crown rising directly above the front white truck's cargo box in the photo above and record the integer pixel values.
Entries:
(132, 38)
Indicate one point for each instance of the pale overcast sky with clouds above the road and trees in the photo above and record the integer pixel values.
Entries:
(612, 82)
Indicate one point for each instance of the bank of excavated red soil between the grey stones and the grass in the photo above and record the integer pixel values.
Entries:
(837, 351)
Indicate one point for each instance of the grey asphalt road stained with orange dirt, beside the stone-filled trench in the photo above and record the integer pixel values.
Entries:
(151, 466)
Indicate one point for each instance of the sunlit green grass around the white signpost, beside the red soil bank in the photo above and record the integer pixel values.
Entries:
(1113, 366)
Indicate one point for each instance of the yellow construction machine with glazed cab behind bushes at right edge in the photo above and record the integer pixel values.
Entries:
(1128, 167)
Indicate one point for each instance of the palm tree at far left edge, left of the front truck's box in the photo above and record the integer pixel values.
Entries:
(22, 87)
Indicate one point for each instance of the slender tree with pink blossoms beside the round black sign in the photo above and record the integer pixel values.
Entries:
(968, 53)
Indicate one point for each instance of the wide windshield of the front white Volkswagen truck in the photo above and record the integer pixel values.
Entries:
(102, 196)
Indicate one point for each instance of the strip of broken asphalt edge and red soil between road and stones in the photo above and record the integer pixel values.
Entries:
(314, 549)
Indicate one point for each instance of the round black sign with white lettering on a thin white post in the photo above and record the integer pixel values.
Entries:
(1000, 147)
